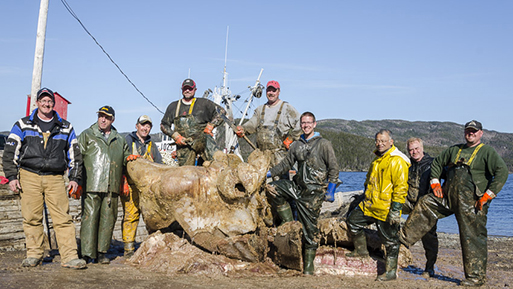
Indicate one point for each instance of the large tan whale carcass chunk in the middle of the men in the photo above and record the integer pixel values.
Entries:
(218, 205)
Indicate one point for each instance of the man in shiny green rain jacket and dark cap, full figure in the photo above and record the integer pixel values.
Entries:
(104, 152)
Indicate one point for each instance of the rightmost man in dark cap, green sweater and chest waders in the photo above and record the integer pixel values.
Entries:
(475, 174)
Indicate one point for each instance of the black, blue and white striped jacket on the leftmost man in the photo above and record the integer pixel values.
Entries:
(25, 148)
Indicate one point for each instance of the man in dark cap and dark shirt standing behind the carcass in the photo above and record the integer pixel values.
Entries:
(194, 120)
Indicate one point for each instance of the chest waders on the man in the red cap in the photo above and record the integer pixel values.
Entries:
(269, 138)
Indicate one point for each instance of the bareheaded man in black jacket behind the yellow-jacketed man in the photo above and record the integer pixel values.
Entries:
(418, 186)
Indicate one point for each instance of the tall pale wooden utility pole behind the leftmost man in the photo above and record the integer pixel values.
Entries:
(37, 72)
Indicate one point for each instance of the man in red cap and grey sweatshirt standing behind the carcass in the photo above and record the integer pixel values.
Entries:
(275, 123)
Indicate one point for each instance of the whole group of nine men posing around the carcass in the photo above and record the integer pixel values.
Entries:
(462, 180)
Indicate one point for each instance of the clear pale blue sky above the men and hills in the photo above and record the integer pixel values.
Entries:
(356, 60)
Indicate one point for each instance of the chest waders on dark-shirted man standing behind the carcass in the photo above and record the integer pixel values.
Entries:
(202, 144)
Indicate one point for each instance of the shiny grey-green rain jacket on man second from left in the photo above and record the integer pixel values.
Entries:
(104, 160)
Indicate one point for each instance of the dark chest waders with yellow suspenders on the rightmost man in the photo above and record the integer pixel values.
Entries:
(460, 196)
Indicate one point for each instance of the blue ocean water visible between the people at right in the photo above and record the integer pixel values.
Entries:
(500, 213)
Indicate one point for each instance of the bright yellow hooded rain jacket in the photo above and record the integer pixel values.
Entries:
(387, 182)
